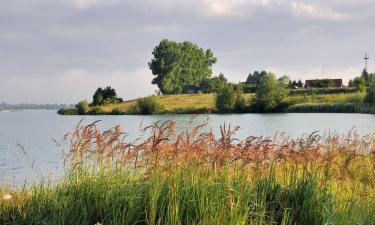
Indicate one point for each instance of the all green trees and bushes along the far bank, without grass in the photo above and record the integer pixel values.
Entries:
(181, 66)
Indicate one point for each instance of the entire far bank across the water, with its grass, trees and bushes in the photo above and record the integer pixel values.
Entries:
(184, 68)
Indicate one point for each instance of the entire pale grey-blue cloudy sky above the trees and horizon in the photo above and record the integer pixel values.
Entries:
(60, 51)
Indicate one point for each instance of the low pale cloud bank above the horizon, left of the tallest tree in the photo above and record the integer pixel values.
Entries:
(73, 85)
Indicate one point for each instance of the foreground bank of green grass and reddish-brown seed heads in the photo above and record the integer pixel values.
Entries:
(193, 177)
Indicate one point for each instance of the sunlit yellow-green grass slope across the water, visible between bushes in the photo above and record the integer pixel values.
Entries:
(173, 103)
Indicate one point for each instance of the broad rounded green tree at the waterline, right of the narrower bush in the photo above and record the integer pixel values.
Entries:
(269, 93)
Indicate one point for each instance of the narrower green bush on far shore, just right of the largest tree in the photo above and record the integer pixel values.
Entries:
(225, 98)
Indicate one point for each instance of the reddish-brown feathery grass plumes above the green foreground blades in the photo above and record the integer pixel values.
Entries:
(162, 147)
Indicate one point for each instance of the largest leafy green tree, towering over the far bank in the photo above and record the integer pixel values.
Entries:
(180, 63)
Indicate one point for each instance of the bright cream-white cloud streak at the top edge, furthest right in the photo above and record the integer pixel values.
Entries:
(315, 12)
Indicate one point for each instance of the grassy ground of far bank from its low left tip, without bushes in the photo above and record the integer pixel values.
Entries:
(204, 103)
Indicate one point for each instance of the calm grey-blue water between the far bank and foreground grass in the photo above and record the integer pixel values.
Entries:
(35, 130)
